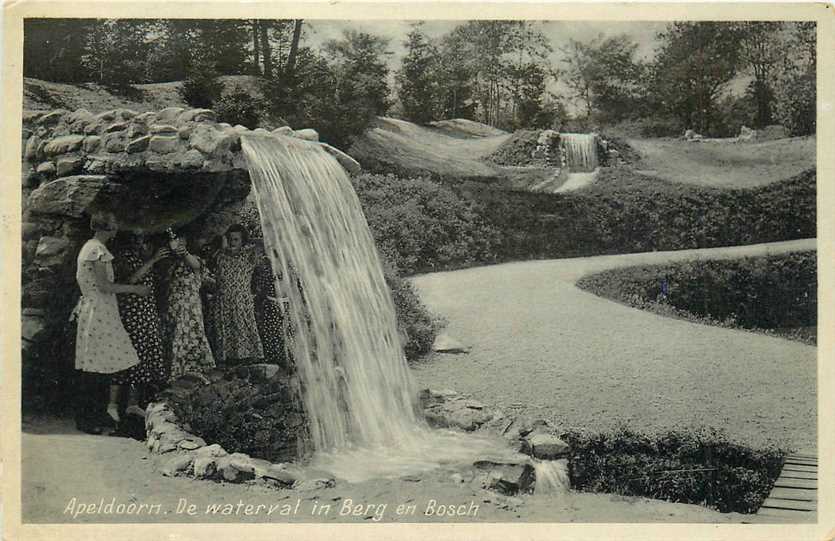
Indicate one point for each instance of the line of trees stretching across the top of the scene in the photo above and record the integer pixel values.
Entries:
(502, 73)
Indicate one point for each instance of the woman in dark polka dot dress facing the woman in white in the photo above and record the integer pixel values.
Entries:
(140, 317)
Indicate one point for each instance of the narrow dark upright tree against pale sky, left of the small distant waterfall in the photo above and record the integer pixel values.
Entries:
(417, 77)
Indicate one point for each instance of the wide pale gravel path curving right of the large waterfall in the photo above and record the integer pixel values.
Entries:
(543, 346)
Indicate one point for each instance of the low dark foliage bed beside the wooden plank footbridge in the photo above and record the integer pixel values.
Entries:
(701, 467)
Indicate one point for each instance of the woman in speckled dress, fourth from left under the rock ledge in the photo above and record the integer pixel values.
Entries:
(237, 332)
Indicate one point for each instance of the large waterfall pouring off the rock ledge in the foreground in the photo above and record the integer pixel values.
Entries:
(356, 387)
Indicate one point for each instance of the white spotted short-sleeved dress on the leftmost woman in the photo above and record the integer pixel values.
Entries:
(102, 344)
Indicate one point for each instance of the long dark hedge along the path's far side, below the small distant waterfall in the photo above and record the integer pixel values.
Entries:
(624, 212)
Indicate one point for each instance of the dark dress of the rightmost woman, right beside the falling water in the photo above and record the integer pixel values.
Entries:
(268, 314)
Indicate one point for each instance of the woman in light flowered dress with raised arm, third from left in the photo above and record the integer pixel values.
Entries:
(189, 347)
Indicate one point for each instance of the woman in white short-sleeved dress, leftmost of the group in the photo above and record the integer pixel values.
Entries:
(102, 344)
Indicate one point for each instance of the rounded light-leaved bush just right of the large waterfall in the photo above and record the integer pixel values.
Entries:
(421, 225)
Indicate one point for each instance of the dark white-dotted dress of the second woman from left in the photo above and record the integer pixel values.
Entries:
(140, 318)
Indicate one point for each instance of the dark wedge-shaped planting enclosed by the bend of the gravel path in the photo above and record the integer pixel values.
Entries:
(776, 293)
